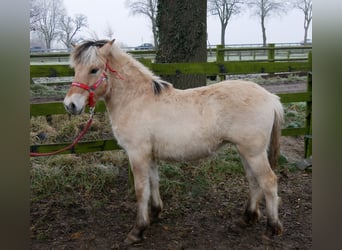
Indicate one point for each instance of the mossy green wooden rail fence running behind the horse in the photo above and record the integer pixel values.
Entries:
(272, 63)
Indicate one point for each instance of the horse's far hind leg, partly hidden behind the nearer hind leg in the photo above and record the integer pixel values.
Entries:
(252, 212)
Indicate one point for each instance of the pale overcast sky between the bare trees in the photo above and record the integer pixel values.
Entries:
(134, 30)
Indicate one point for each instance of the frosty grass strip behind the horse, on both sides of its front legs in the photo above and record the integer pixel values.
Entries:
(97, 172)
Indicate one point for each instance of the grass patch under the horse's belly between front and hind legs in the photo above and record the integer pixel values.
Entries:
(196, 178)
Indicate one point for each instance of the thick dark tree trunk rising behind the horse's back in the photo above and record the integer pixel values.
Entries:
(182, 27)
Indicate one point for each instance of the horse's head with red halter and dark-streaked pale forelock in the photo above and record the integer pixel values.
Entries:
(89, 60)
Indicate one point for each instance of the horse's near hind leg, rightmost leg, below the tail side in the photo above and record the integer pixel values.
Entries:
(267, 181)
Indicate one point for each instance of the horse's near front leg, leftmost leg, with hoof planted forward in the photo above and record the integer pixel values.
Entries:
(140, 168)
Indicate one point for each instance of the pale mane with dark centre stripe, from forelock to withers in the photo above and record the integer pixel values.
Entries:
(87, 54)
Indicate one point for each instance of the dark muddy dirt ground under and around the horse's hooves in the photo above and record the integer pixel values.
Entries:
(205, 222)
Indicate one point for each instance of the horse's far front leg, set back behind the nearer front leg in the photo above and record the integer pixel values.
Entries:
(156, 203)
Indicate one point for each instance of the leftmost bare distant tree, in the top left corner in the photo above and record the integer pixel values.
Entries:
(51, 12)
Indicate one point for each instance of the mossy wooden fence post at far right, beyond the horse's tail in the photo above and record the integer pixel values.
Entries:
(308, 123)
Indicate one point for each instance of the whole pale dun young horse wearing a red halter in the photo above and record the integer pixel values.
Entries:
(154, 121)
